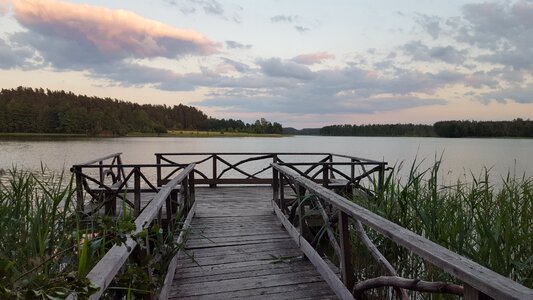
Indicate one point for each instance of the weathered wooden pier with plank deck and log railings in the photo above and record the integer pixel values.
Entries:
(264, 226)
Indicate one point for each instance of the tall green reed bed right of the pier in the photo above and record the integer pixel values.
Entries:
(490, 223)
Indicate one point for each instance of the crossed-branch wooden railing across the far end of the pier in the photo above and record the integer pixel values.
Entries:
(255, 168)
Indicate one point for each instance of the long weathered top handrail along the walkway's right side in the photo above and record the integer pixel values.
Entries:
(471, 273)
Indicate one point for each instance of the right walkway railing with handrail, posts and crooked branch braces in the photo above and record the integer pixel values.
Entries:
(344, 220)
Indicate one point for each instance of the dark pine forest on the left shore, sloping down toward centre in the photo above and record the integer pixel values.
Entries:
(28, 110)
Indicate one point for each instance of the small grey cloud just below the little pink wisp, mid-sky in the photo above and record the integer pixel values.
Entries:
(275, 67)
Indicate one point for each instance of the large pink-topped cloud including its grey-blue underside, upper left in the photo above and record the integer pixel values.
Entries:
(101, 34)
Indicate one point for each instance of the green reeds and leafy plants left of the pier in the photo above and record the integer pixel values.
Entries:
(46, 249)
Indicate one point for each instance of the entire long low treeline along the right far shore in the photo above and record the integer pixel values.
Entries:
(514, 128)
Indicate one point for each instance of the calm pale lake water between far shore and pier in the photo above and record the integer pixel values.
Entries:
(460, 156)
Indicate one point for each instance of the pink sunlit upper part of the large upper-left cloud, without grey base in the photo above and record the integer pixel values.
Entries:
(112, 32)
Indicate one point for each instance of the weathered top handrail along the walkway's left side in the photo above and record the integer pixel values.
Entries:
(105, 270)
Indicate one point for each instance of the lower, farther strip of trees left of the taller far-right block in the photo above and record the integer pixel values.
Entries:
(379, 130)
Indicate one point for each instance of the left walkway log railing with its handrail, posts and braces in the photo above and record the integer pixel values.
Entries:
(109, 266)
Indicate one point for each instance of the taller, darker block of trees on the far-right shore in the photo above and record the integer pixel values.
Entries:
(515, 128)
